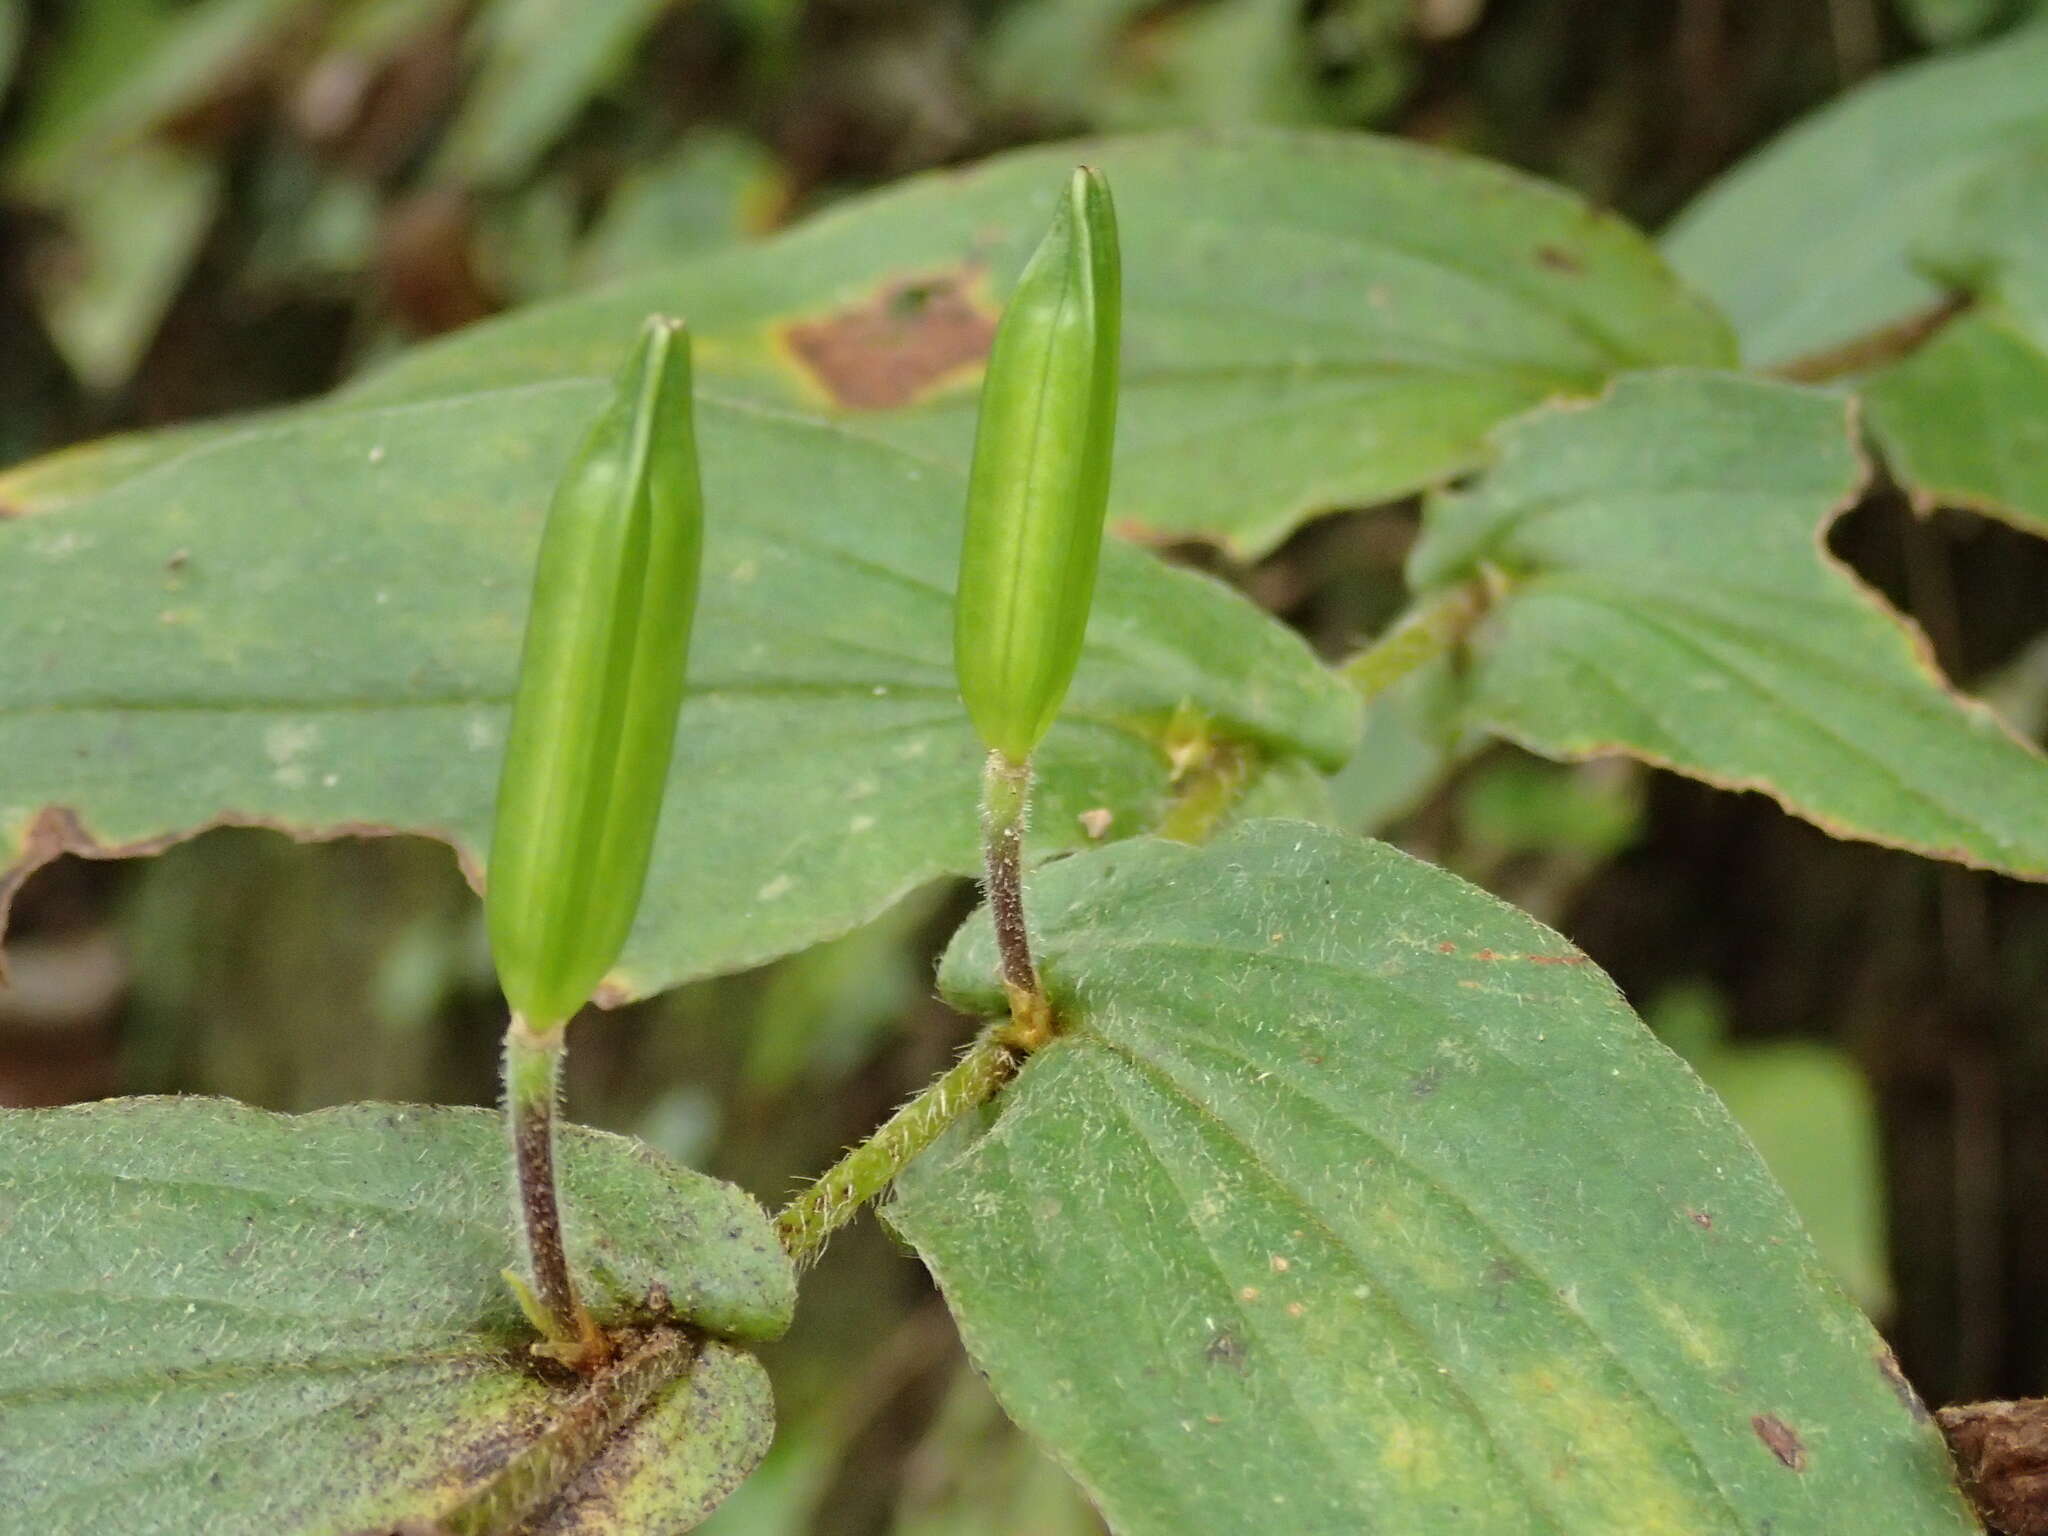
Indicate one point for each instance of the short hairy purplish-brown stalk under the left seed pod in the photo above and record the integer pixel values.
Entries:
(534, 1082)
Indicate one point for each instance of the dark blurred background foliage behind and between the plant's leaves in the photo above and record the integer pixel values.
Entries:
(218, 206)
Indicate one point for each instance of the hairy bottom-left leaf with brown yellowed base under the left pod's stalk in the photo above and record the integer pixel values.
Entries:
(296, 1324)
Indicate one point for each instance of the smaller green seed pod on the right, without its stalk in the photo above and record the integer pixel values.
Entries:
(1041, 478)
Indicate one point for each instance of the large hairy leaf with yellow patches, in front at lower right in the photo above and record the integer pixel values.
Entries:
(1359, 1201)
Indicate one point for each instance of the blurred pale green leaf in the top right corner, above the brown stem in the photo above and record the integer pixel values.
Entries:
(1811, 243)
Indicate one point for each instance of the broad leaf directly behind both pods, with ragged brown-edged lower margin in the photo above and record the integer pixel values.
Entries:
(314, 624)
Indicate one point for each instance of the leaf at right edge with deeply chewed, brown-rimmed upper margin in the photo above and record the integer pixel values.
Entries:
(1664, 593)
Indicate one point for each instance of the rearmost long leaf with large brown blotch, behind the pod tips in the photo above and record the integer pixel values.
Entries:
(1312, 321)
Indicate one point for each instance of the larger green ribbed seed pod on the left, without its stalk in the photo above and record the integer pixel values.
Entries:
(599, 689)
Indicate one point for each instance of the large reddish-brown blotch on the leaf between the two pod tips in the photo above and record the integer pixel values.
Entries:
(896, 347)
